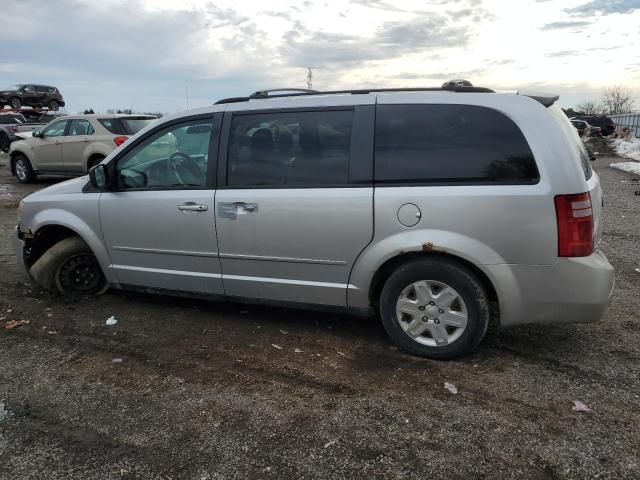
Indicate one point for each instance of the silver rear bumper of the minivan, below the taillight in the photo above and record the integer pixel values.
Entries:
(574, 290)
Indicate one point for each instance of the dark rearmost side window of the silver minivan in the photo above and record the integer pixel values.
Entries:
(450, 144)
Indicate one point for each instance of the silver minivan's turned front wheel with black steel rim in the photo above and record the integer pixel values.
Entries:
(69, 268)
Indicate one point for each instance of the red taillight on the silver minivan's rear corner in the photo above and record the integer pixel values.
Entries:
(575, 225)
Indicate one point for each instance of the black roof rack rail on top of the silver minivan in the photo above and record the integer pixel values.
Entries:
(304, 92)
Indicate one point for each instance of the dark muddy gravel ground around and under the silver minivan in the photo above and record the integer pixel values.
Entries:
(183, 389)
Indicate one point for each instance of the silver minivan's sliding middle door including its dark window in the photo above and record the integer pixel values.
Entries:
(297, 206)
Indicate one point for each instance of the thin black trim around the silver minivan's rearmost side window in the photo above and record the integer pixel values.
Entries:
(453, 182)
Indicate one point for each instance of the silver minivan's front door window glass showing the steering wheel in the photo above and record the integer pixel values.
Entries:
(175, 157)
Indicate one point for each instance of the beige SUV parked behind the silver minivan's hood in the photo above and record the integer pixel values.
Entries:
(72, 144)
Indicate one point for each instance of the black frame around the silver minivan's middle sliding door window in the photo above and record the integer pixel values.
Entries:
(360, 148)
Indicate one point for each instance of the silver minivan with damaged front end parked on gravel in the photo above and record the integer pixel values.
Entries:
(440, 210)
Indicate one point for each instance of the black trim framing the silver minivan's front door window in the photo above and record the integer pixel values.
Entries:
(212, 160)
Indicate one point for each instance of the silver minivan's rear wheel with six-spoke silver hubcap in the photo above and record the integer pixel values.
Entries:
(435, 308)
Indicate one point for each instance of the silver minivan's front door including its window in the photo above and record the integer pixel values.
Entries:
(158, 221)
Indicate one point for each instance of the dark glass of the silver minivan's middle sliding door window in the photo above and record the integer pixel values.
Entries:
(290, 149)
